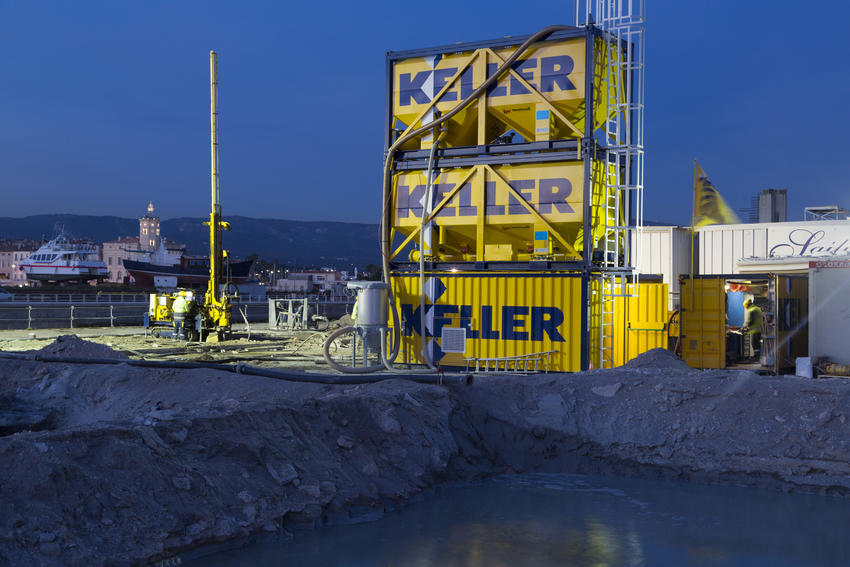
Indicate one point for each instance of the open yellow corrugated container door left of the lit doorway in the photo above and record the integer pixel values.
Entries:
(703, 323)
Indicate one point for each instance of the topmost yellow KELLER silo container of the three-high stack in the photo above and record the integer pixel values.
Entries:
(542, 97)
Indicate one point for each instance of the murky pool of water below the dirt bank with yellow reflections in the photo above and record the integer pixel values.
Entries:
(572, 520)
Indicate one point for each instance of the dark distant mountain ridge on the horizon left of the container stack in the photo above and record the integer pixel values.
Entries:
(342, 245)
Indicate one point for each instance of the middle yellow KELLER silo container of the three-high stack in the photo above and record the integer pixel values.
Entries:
(501, 212)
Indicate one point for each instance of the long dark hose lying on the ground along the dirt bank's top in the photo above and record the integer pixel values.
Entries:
(288, 375)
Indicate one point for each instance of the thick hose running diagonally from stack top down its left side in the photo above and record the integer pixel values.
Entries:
(388, 162)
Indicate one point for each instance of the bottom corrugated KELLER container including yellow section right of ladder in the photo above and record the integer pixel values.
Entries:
(478, 316)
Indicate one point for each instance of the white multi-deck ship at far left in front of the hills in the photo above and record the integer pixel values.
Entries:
(61, 260)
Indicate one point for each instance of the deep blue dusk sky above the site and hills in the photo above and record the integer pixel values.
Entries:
(105, 105)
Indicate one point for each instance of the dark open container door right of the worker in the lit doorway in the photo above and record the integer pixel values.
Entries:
(786, 334)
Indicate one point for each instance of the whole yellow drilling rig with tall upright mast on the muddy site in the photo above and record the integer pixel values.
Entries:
(177, 314)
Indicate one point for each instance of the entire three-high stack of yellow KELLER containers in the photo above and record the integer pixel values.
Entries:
(494, 176)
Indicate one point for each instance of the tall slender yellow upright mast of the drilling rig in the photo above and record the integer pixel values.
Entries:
(216, 311)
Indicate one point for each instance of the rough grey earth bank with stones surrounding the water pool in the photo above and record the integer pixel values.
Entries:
(120, 465)
